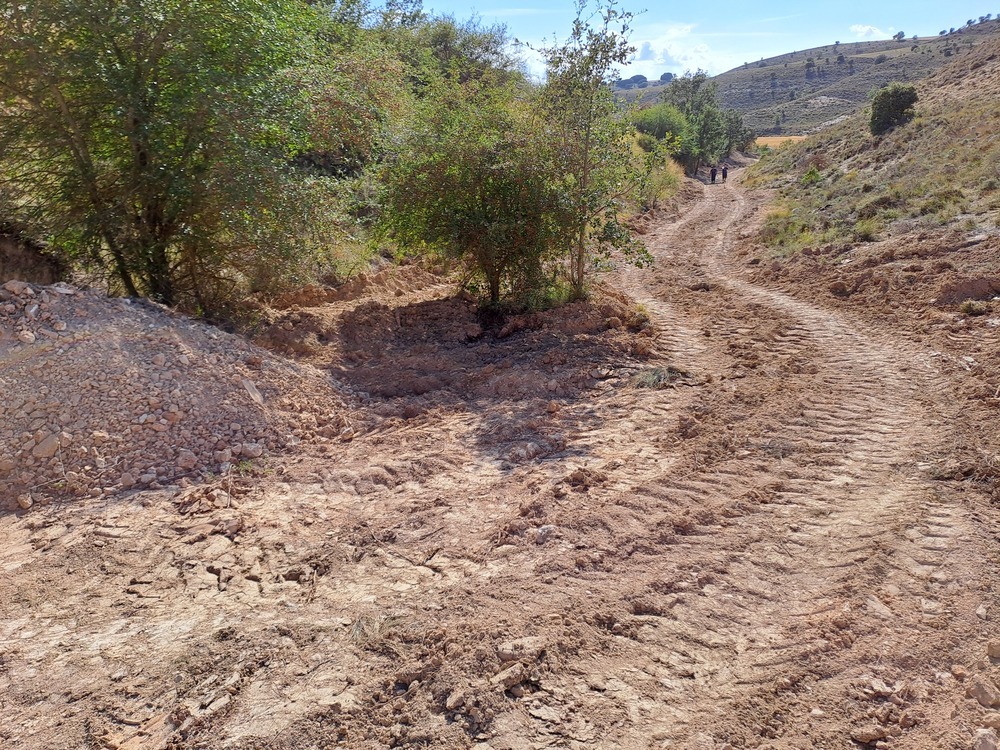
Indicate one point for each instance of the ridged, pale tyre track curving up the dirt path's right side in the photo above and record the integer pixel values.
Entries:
(852, 523)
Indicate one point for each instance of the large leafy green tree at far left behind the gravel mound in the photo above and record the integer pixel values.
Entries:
(153, 139)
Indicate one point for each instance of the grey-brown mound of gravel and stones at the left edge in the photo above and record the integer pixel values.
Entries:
(99, 395)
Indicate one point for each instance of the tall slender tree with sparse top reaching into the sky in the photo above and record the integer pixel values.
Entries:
(590, 136)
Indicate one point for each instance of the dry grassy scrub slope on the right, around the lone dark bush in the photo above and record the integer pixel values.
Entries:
(938, 170)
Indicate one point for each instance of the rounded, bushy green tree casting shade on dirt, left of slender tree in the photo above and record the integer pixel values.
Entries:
(468, 182)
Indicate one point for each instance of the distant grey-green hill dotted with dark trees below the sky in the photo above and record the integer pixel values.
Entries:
(803, 91)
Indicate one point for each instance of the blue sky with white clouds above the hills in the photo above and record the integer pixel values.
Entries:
(718, 36)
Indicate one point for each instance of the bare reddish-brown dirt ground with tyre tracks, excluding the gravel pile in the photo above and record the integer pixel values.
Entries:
(739, 527)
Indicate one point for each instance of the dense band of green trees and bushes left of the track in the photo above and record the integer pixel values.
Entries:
(194, 151)
